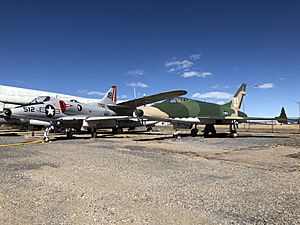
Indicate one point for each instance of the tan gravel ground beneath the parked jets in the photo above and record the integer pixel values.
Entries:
(151, 179)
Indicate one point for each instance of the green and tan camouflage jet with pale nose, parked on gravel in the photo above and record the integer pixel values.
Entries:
(188, 113)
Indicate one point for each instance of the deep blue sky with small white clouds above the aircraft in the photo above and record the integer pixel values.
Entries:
(205, 47)
